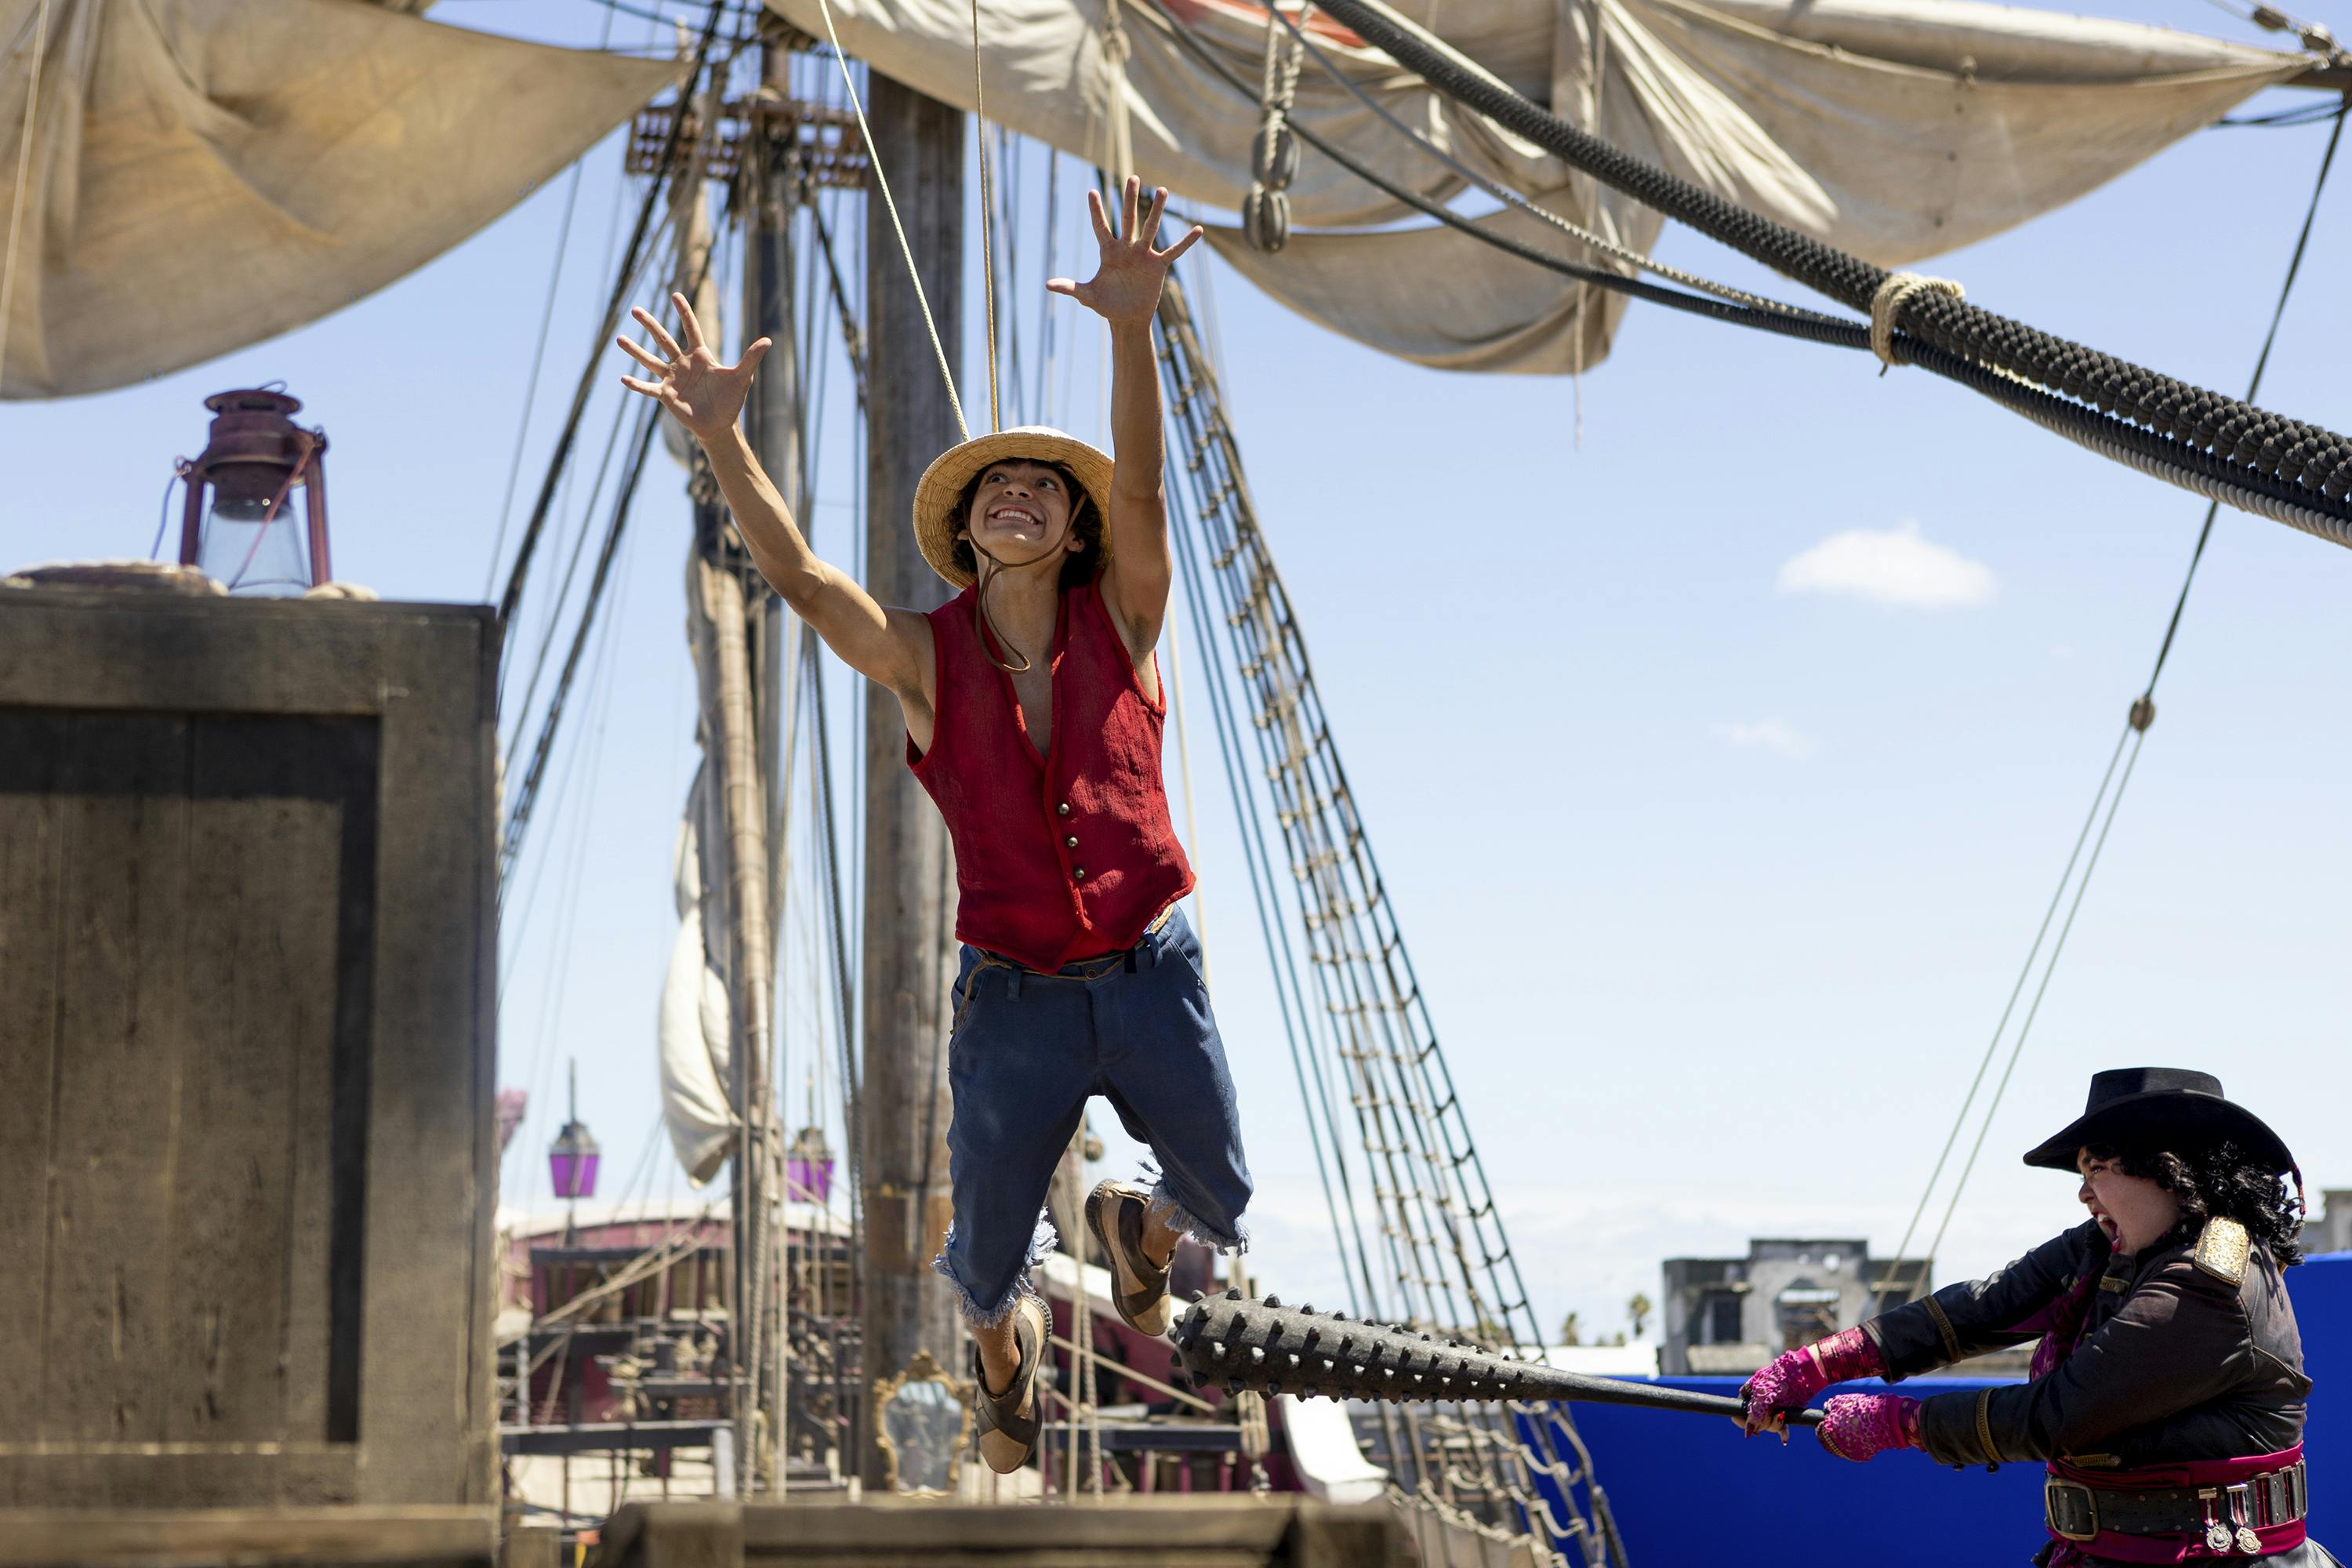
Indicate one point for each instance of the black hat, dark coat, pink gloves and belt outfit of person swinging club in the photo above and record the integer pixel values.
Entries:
(2167, 1391)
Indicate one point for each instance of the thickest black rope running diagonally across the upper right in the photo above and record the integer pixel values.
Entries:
(2252, 445)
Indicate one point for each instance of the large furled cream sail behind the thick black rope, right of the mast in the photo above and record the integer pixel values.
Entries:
(1892, 128)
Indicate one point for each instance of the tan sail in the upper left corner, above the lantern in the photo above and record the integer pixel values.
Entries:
(211, 173)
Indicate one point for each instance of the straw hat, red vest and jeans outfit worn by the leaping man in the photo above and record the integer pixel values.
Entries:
(1081, 974)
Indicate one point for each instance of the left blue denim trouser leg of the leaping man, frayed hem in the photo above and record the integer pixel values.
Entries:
(1020, 1071)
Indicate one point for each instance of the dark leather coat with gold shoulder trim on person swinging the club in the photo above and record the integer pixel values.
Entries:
(2174, 1362)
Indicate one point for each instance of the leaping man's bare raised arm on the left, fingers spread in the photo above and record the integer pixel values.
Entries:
(890, 648)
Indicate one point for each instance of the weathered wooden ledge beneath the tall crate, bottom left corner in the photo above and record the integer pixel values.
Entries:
(250, 1539)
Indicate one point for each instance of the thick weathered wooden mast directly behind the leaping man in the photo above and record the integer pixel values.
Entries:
(909, 871)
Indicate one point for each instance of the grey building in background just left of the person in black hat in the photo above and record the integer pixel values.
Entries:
(1732, 1315)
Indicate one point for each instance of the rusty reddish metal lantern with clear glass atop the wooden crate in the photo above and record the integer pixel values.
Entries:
(239, 525)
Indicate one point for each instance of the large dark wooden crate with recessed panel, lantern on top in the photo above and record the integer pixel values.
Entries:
(246, 1052)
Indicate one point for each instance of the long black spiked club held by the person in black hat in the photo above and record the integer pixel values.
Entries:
(1297, 1351)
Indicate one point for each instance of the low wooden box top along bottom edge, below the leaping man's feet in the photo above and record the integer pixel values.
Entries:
(1118, 1534)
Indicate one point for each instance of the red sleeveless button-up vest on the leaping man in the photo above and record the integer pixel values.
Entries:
(1060, 857)
